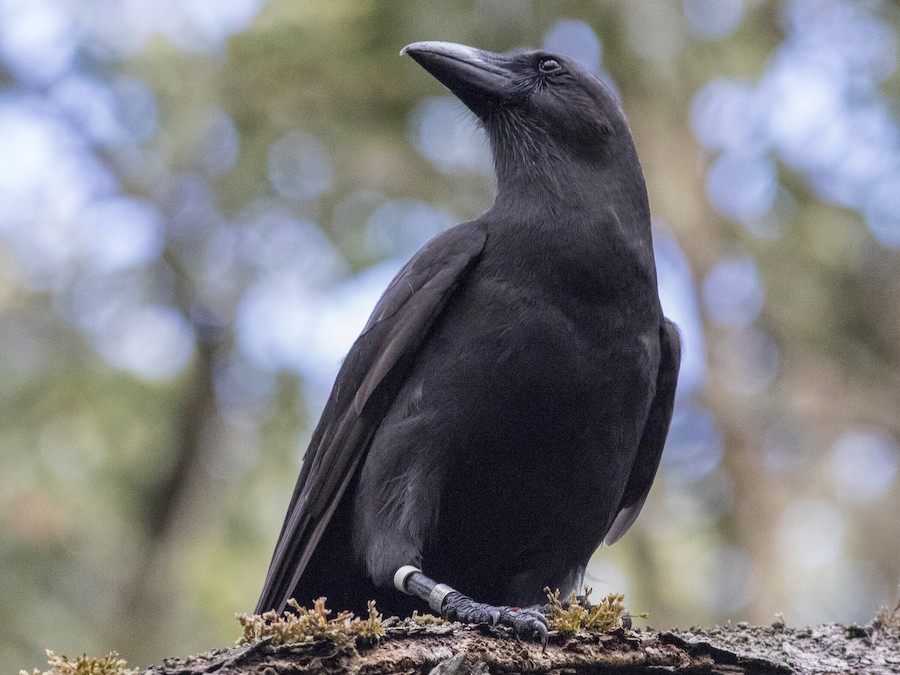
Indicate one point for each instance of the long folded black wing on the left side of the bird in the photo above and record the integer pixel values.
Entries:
(364, 389)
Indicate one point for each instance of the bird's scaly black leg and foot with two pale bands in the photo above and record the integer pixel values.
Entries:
(527, 622)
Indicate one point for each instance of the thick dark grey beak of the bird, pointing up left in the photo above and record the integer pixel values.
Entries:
(478, 78)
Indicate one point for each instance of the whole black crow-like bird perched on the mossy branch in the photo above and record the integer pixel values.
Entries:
(504, 410)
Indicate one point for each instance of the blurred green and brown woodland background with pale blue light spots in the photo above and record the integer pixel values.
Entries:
(201, 200)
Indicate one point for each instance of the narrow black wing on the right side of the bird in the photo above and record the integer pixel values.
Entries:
(654, 437)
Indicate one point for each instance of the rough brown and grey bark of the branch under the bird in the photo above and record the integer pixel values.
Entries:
(450, 649)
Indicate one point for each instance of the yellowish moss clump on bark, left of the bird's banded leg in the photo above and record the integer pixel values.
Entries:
(306, 625)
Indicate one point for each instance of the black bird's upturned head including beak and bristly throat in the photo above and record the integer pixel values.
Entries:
(542, 111)
